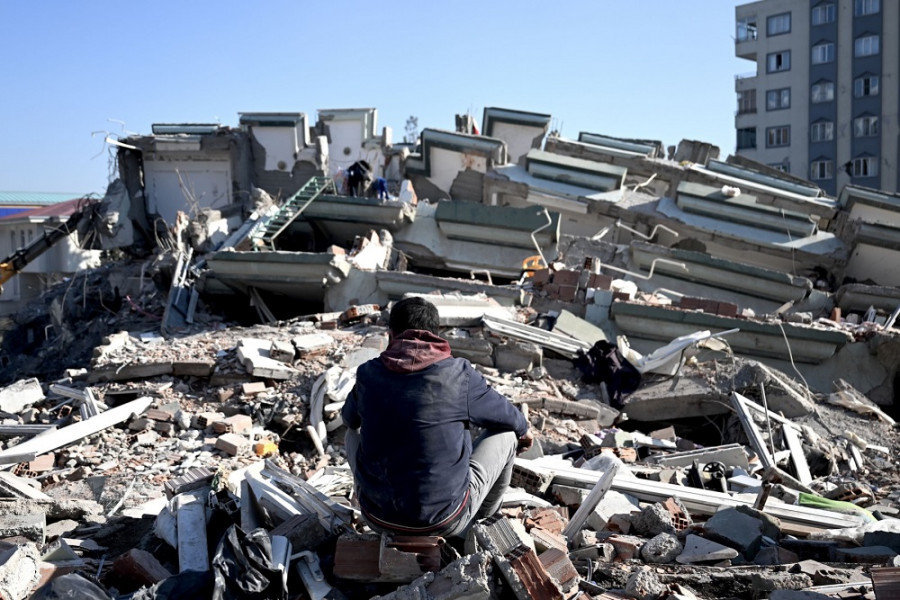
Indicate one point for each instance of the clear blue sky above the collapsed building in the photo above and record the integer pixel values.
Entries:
(660, 69)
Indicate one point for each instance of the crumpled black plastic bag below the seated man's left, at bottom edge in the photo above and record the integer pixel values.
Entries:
(244, 569)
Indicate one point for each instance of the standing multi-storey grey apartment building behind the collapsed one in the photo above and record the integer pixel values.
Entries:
(822, 102)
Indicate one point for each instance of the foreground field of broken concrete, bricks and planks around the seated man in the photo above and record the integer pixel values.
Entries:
(129, 455)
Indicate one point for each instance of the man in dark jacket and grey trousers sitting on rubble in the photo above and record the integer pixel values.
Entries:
(417, 471)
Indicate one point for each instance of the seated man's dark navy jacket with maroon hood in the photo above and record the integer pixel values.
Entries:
(414, 403)
